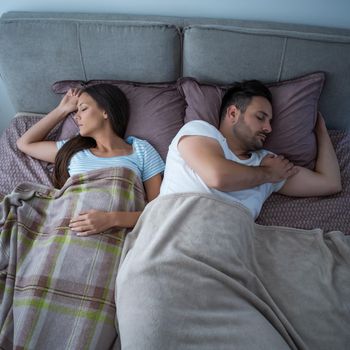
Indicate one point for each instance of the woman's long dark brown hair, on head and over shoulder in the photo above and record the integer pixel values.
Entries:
(111, 99)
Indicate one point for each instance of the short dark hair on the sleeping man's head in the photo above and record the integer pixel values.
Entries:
(241, 93)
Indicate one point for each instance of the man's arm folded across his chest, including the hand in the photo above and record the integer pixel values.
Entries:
(205, 156)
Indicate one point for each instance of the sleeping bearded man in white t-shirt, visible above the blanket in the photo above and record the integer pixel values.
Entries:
(231, 162)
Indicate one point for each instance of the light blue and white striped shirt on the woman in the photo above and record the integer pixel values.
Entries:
(144, 161)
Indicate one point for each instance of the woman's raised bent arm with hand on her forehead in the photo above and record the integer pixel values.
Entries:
(32, 141)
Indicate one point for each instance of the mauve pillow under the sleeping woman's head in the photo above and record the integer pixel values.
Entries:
(156, 111)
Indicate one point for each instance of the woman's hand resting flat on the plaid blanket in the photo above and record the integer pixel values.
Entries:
(91, 222)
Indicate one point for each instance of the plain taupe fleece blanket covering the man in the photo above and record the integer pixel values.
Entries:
(202, 275)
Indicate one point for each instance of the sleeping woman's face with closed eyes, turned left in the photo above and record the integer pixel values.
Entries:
(89, 116)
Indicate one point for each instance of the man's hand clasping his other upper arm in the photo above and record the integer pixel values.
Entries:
(278, 168)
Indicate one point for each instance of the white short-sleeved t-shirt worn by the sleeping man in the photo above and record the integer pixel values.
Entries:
(179, 177)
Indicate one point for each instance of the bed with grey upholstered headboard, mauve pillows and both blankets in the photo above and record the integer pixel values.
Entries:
(188, 275)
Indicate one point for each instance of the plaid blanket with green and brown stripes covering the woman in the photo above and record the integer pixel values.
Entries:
(56, 288)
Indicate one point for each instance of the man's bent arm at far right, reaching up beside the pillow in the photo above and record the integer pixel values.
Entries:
(325, 179)
